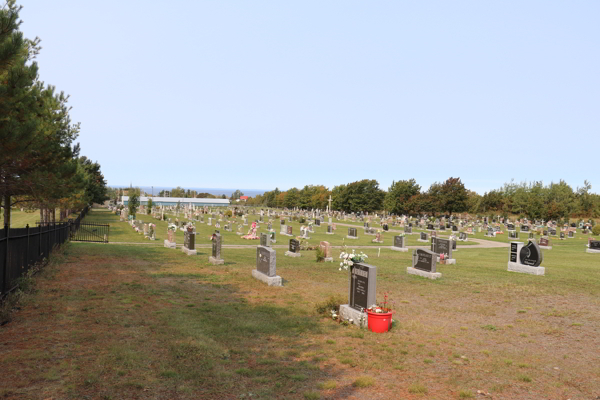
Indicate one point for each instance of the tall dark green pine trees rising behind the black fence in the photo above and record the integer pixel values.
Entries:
(40, 165)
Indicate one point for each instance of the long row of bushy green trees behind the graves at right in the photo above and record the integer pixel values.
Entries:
(533, 200)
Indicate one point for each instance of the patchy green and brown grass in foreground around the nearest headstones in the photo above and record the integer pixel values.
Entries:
(116, 321)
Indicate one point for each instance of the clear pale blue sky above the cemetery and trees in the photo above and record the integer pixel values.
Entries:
(257, 94)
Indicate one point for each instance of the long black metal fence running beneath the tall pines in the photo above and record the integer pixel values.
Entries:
(21, 248)
